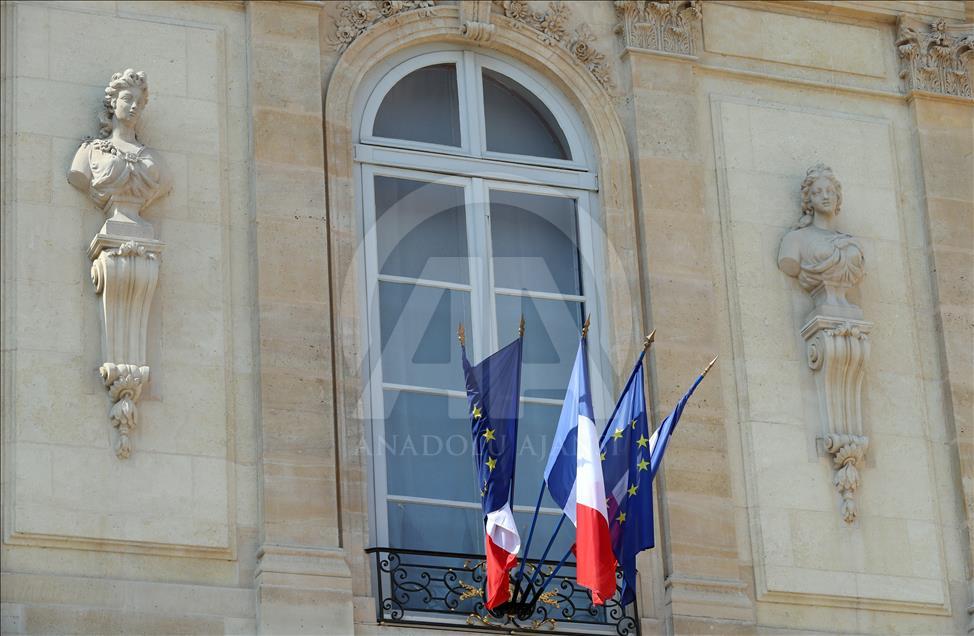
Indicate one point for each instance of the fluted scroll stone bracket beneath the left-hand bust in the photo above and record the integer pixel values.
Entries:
(124, 272)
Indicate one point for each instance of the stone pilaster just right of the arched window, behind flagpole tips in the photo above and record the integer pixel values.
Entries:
(701, 562)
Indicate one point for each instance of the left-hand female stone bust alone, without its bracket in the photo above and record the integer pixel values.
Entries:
(119, 173)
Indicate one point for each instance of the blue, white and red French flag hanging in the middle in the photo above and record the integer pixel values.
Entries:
(574, 478)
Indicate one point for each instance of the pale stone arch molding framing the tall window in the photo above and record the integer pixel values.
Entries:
(372, 46)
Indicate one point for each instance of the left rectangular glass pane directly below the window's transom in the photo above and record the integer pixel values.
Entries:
(421, 229)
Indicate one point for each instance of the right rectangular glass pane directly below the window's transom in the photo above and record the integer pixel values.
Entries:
(534, 239)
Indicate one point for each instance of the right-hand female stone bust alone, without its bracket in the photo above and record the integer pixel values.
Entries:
(826, 262)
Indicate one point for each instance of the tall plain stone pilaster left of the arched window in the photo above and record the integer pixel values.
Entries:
(302, 578)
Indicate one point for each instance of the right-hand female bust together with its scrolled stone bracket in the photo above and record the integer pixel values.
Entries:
(828, 265)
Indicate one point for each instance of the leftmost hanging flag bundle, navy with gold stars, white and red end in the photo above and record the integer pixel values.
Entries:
(493, 389)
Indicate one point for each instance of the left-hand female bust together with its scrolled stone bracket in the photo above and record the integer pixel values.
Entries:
(123, 177)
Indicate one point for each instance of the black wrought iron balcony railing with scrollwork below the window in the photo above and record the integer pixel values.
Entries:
(443, 589)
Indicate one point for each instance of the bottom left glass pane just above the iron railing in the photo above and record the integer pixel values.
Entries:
(428, 527)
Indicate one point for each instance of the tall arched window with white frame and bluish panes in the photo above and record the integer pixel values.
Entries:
(477, 193)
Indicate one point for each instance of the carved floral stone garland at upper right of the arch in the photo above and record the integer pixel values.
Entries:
(551, 27)
